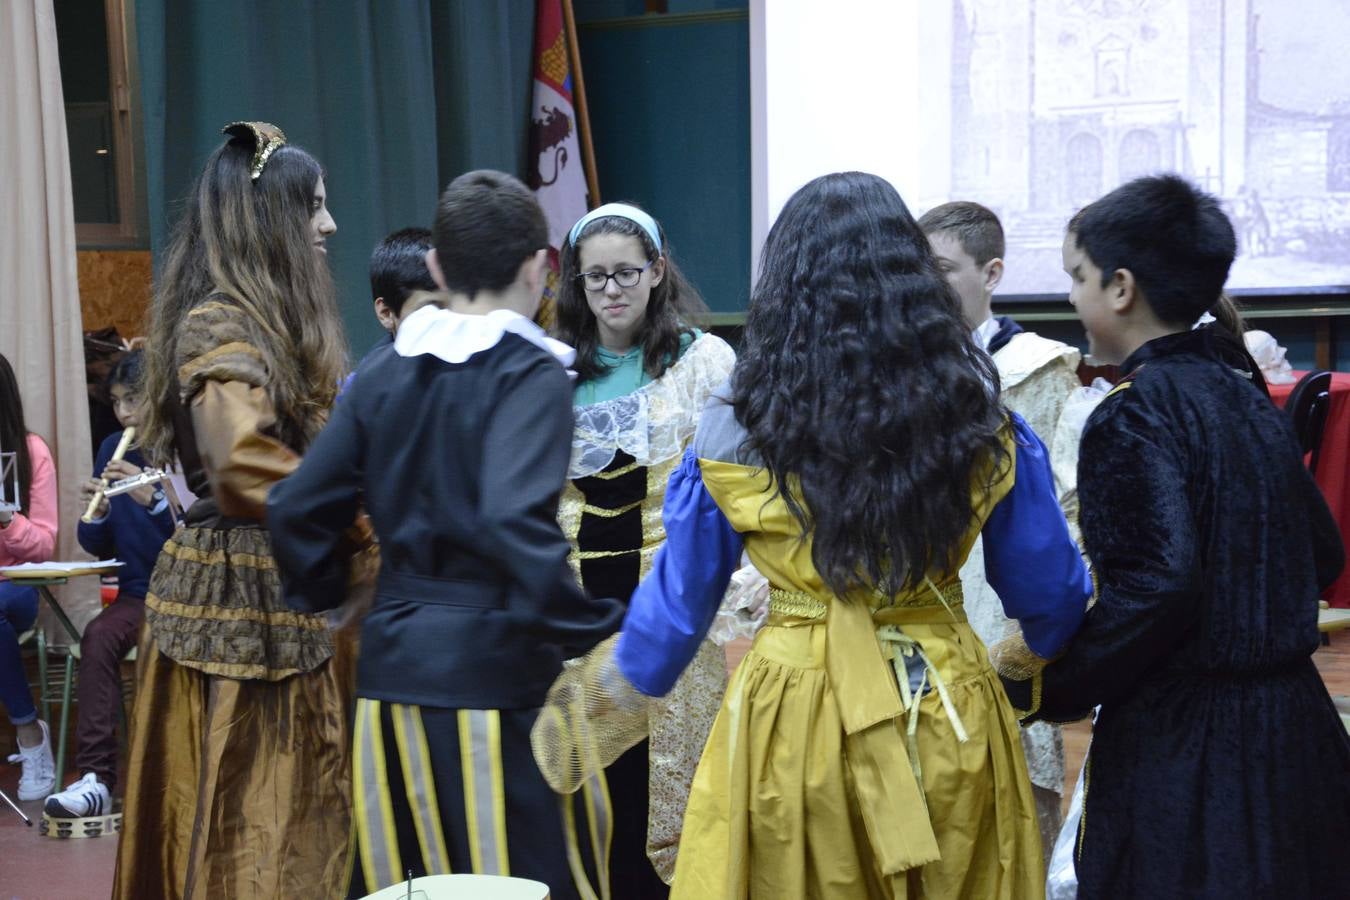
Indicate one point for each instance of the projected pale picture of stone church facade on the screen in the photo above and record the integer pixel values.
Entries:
(1056, 102)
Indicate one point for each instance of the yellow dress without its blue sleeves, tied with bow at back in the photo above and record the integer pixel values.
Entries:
(823, 777)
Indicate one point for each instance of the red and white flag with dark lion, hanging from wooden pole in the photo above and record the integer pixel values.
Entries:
(557, 172)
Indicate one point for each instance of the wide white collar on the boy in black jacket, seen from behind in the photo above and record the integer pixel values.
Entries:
(456, 337)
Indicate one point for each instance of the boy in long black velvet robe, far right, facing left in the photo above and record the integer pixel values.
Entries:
(1218, 766)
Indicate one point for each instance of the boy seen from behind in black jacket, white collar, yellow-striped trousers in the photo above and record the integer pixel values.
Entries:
(458, 446)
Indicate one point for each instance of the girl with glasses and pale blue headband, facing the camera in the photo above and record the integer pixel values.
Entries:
(645, 374)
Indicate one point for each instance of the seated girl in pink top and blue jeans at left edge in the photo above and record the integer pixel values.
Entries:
(28, 536)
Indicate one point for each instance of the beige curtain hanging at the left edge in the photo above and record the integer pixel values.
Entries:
(40, 298)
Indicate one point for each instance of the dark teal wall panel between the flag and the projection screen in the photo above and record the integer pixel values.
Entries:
(670, 113)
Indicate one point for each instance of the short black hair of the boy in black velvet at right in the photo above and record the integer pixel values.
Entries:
(1172, 237)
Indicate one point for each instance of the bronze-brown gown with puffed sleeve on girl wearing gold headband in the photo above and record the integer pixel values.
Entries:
(238, 779)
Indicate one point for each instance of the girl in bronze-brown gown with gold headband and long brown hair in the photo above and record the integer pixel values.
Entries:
(238, 781)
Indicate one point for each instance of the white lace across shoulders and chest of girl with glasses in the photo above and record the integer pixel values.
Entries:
(657, 422)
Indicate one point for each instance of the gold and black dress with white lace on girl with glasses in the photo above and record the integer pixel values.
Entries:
(624, 451)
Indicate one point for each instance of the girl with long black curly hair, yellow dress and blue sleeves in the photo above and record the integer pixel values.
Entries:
(865, 747)
